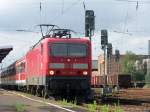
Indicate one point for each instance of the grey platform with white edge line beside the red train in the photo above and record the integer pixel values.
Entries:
(10, 102)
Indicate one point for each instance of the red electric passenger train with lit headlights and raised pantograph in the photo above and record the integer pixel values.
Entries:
(56, 65)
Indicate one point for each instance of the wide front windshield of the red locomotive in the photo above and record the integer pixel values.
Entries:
(69, 49)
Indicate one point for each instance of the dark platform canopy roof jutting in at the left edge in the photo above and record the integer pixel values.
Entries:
(4, 51)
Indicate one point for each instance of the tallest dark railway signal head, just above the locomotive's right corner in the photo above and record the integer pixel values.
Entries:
(89, 23)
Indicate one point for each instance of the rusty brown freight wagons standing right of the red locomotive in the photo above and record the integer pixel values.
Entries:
(112, 80)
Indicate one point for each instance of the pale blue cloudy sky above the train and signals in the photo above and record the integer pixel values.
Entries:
(127, 23)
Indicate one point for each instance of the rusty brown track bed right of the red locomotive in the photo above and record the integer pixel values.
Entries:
(132, 96)
